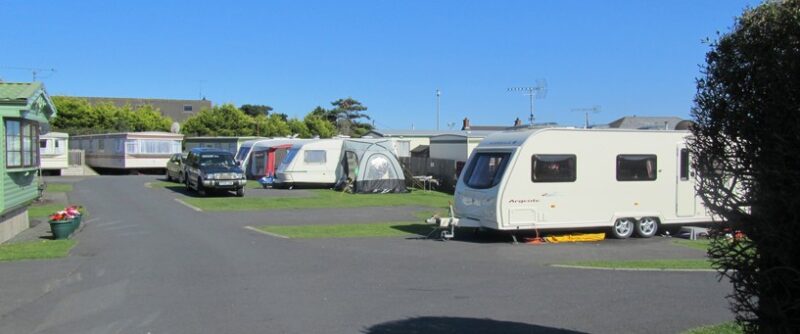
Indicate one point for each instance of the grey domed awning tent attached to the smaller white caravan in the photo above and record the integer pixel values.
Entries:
(370, 166)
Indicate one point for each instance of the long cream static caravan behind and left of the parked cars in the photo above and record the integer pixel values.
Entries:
(131, 150)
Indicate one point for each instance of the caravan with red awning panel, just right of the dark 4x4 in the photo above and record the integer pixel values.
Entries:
(260, 158)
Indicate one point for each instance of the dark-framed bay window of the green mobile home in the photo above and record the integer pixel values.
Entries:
(21, 136)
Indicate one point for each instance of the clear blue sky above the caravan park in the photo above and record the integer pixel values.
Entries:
(628, 57)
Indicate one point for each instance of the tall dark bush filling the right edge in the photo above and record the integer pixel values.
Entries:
(745, 150)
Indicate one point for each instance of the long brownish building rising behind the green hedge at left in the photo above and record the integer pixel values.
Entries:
(178, 110)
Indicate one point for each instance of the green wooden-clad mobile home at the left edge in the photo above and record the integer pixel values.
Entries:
(25, 109)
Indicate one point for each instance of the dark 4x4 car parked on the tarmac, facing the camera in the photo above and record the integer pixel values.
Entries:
(209, 169)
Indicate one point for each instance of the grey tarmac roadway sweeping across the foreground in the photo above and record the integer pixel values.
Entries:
(147, 264)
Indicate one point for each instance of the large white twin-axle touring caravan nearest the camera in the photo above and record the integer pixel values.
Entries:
(628, 181)
